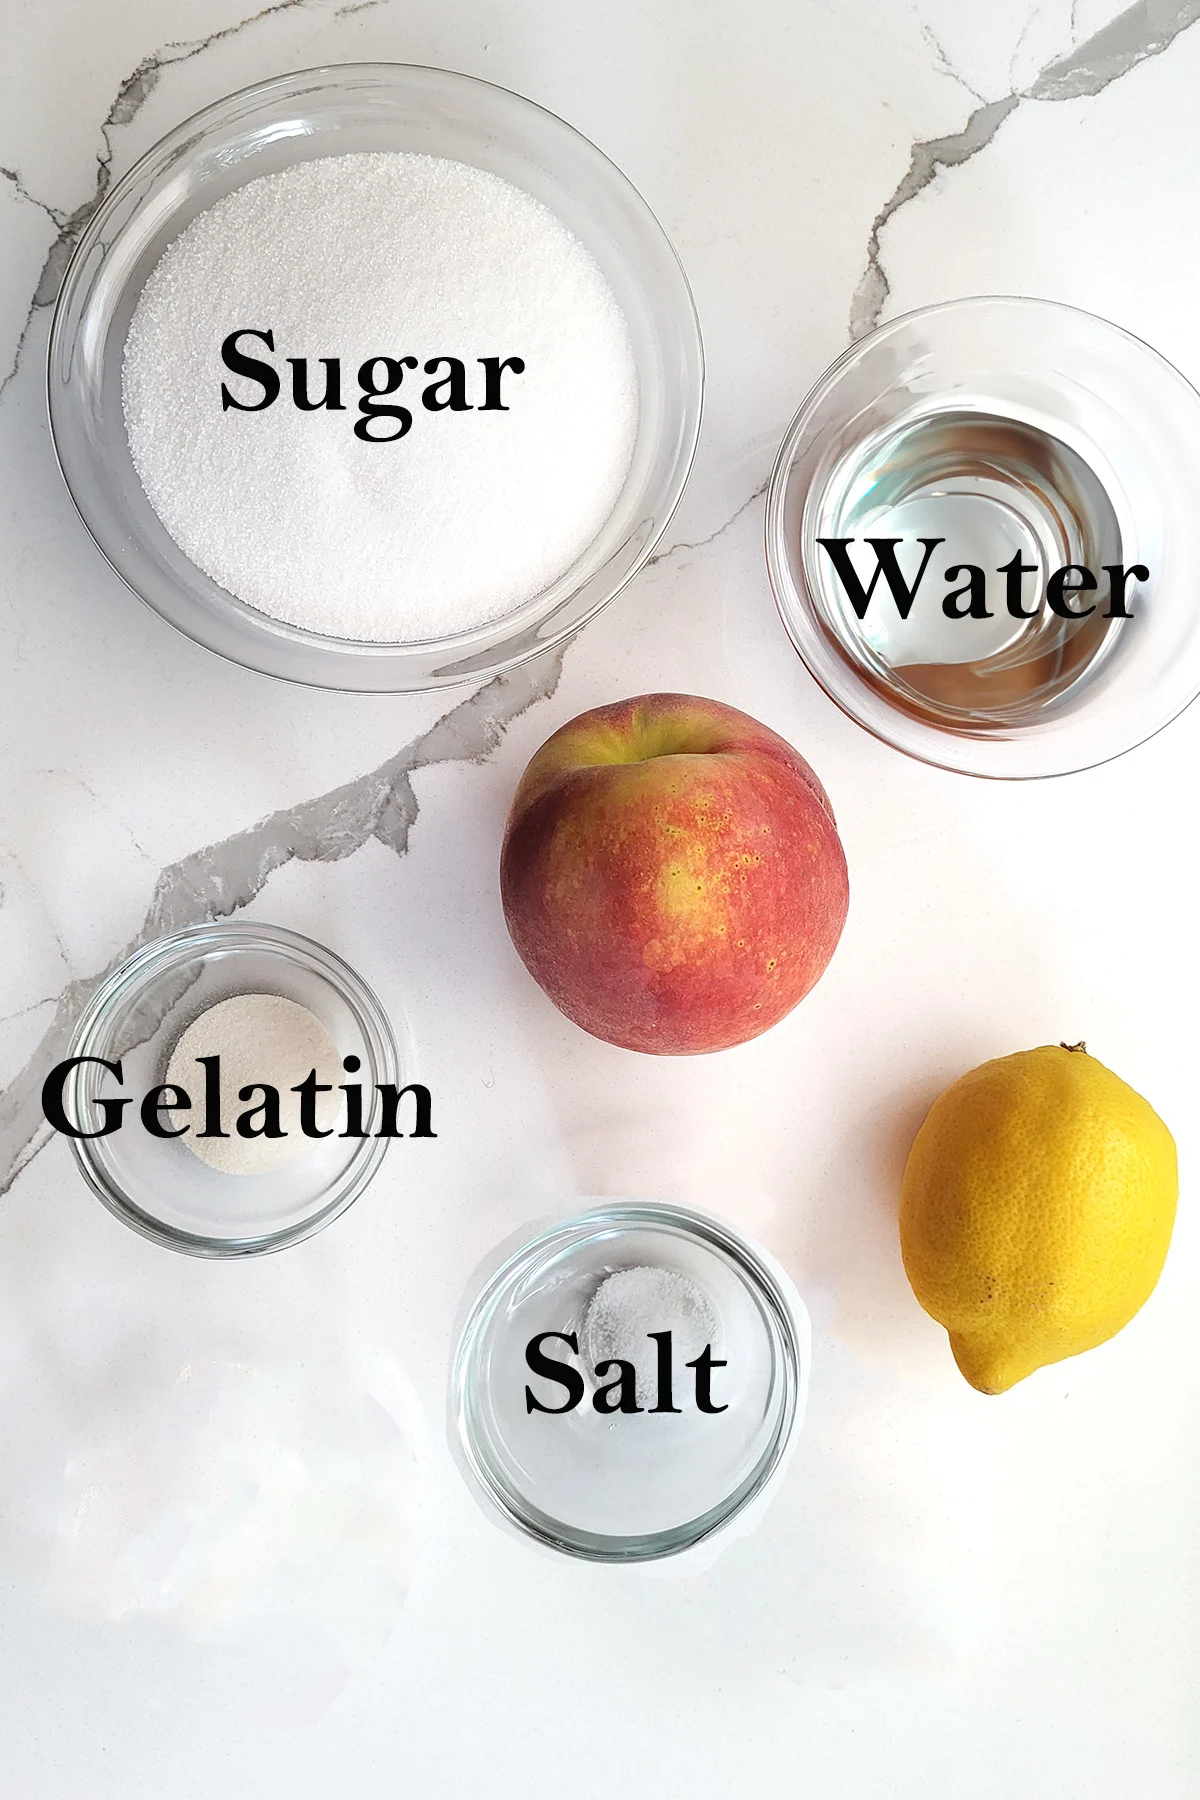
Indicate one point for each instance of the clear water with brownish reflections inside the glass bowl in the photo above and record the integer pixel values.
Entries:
(990, 487)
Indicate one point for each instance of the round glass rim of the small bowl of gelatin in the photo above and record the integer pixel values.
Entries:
(233, 933)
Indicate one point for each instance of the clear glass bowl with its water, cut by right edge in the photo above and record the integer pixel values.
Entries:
(936, 512)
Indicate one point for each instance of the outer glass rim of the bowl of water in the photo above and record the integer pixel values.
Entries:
(784, 588)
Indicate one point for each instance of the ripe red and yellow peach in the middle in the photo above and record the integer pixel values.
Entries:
(672, 874)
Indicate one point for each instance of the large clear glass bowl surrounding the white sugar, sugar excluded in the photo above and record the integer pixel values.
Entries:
(321, 112)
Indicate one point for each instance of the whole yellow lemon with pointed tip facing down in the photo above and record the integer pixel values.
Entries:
(1037, 1210)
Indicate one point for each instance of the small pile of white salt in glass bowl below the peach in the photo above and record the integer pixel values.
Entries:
(632, 1304)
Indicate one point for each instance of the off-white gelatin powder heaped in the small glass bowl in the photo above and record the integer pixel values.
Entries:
(260, 1039)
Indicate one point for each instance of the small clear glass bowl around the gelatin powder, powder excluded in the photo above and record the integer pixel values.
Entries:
(138, 1018)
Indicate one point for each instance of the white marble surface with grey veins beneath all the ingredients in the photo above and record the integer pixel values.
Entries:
(235, 1552)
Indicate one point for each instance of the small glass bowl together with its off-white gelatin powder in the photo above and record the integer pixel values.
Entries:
(273, 1007)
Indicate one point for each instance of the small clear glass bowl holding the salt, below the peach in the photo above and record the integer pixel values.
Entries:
(629, 1486)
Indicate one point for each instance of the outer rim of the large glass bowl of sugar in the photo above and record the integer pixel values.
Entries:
(381, 654)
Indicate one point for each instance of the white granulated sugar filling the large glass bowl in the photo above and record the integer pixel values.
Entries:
(361, 256)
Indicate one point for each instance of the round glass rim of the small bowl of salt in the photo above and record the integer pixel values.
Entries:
(791, 1333)
